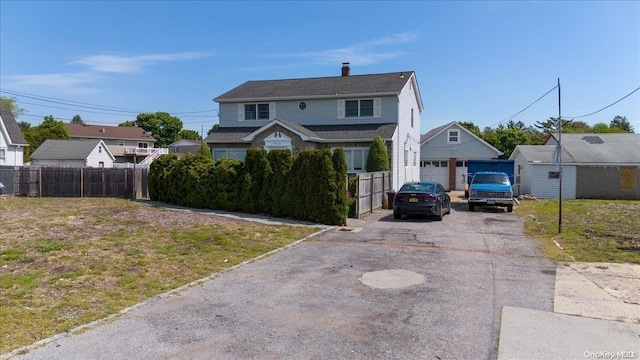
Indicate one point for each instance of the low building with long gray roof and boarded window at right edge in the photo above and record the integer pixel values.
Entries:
(594, 166)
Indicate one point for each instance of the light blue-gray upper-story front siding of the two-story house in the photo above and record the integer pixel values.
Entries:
(317, 112)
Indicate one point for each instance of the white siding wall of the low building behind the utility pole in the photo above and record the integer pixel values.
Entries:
(544, 188)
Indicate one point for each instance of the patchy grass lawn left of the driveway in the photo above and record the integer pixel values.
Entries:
(65, 262)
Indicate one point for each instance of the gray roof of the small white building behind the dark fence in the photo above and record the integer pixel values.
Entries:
(68, 149)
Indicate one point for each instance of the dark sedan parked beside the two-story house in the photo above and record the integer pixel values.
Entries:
(422, 198)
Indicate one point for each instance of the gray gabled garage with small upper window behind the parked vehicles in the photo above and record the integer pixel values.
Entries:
(444, 152)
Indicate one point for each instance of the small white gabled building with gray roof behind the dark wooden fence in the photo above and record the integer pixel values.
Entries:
(73, 153)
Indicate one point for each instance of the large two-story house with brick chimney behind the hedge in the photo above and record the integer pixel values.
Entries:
(346, 111)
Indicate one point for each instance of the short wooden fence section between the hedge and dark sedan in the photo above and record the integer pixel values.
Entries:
(371, 190)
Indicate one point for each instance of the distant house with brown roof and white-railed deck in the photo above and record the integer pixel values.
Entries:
(127, 144)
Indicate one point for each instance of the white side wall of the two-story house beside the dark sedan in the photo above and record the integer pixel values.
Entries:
(409, 137)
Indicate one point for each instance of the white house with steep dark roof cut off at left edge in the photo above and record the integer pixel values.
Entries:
(12, 143)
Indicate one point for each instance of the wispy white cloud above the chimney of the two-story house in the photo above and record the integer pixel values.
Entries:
(365, 53)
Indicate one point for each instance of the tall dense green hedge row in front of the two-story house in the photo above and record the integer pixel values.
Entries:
(311, 187)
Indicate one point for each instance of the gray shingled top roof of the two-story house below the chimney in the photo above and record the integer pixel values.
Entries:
(335, 86)
